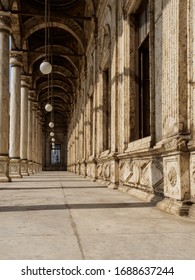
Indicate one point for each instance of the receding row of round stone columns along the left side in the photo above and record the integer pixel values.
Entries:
(20, 117)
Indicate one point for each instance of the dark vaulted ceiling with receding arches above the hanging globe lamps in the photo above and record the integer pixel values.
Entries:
(67, 43)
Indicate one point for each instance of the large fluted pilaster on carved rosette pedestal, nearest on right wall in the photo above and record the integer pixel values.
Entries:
(174, 109)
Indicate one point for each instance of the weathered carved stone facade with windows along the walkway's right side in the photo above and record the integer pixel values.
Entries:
(161, 165)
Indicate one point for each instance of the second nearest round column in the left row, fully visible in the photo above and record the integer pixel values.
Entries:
(14, 137)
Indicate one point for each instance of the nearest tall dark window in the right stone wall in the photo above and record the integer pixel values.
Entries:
(143, 72)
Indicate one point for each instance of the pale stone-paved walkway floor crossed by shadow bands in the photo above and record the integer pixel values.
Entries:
(59, 215)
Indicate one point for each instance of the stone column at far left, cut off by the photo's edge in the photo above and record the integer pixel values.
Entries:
(5, 28)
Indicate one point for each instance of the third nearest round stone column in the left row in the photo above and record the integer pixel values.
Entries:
(24, 126)
